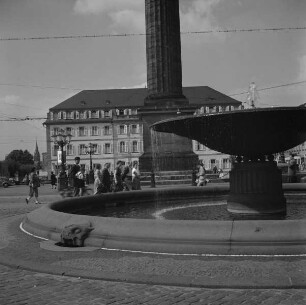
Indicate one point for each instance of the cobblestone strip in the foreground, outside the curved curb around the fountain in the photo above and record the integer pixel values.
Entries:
(25, 287)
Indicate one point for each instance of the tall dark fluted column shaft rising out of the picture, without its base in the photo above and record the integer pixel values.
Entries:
(163, 46)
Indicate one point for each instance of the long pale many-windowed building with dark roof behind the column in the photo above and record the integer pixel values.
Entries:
(108, 121)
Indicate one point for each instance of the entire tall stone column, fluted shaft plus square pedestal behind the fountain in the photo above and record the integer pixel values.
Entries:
(165, 98)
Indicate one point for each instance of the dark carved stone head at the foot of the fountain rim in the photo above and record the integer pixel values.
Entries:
(74, 235)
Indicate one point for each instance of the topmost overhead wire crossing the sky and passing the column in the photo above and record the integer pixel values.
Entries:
(275, 29)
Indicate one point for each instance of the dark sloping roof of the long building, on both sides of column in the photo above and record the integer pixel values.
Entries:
(134, 98)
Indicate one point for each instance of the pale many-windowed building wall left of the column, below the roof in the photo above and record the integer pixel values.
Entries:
(115, 138)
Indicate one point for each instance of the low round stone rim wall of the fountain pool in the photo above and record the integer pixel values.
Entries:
(169, 236)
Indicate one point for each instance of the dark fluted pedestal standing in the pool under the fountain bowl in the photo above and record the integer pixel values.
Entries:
(256, 188)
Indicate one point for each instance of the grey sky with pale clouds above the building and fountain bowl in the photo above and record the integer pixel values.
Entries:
(36, 75)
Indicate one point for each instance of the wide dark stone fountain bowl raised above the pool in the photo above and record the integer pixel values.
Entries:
(249, 132)
